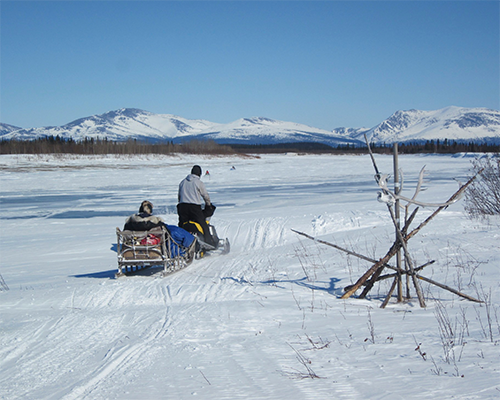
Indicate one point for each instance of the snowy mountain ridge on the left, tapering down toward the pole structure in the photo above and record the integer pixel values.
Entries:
(127, 123)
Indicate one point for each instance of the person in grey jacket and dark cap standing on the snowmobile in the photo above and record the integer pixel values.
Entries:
(191, 192)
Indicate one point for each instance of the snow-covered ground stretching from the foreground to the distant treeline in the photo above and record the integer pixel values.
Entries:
(263, 322)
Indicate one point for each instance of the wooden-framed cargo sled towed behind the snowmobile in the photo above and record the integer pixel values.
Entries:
(135, 252)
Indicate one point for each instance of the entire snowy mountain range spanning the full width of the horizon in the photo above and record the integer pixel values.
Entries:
(452, 123)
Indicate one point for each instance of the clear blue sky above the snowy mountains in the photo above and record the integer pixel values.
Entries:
(327, 64)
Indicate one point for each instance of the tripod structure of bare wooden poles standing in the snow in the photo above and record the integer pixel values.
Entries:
(403, 235)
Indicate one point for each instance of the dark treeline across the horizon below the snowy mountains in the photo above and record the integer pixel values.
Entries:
(58, 145)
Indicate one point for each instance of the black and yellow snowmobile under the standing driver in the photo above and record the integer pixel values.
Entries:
(217, 245)
